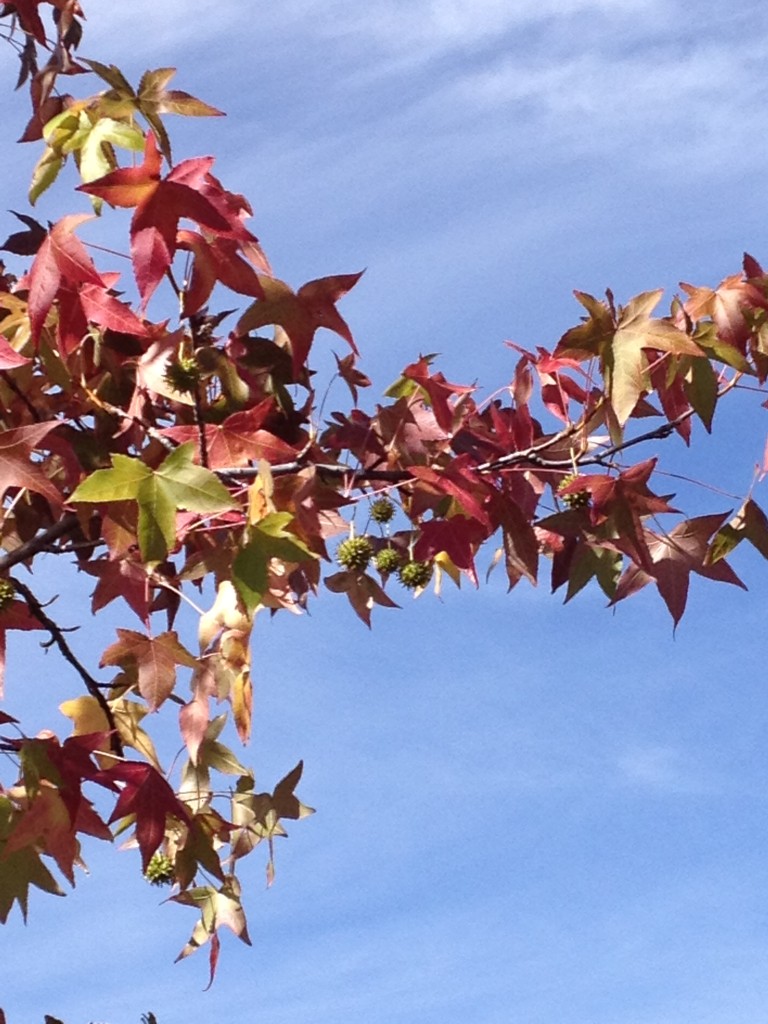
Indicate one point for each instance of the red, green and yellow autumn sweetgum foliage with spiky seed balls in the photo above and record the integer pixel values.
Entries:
(176, 450)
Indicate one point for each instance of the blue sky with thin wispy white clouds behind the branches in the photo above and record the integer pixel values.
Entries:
(527, 813)
